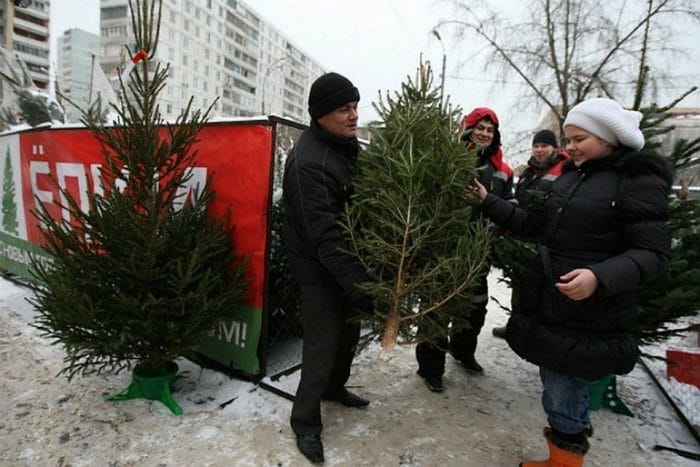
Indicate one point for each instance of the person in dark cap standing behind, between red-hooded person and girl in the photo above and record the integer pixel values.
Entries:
(534, 183)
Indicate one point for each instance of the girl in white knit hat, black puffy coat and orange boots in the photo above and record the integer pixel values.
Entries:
(603, 231)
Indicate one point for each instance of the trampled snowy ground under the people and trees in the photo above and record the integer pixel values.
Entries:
(494, 419)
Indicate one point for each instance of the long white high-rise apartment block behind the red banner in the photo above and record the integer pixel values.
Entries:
(217, 48)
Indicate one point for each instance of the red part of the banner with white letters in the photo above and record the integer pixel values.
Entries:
(238, 156)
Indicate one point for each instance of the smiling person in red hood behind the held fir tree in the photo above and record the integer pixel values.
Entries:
(480, 133)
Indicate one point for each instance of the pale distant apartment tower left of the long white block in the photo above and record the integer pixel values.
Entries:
(77, 57)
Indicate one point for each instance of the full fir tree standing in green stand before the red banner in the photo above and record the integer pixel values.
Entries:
(143, 274)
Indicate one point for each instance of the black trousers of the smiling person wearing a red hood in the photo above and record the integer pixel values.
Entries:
(461, 343)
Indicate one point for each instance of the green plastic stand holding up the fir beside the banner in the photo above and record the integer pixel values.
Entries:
(151, 385)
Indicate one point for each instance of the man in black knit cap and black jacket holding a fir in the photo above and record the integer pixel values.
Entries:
(317, 186)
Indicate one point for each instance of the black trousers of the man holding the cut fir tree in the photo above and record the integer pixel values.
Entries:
(330, 340)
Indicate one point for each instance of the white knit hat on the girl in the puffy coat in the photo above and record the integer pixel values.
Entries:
(609, 121)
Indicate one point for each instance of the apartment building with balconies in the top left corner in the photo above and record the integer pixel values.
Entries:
(24, 31)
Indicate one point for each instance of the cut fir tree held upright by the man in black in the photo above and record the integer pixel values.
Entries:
(408, 223)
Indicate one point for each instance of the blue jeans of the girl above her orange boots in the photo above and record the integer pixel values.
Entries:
(565, 400)
